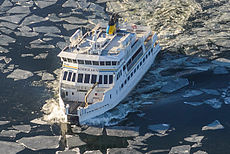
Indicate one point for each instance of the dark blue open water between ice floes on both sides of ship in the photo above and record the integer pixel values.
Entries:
(21, 101)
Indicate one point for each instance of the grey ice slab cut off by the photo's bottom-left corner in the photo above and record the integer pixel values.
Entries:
(10, 147)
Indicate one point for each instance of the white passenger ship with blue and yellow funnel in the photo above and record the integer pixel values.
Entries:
(102, 66)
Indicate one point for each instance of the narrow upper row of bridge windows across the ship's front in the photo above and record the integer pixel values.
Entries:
(88, 62)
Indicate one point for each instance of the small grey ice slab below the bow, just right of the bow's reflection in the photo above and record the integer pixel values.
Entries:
(74, 141)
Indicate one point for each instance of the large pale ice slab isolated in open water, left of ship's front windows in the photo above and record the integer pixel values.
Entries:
(20, 74)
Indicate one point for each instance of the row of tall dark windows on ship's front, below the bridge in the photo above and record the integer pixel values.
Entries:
(88, 78)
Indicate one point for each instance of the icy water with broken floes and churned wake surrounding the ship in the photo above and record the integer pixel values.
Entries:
(180, 106)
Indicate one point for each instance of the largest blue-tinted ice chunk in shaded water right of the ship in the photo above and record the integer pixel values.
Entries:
(174, 85)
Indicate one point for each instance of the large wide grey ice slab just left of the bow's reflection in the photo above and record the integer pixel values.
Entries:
(40, 142)
